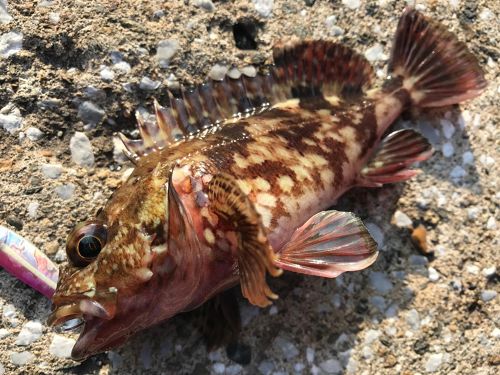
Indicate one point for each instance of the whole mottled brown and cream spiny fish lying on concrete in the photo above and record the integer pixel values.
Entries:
(234, 182)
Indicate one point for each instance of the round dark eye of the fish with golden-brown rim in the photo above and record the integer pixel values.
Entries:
(86, 242)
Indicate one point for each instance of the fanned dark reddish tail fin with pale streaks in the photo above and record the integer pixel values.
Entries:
(435, 67)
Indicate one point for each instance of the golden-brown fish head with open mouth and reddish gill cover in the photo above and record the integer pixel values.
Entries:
(123, 273)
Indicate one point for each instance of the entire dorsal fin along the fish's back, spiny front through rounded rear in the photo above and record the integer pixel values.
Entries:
(305, 70)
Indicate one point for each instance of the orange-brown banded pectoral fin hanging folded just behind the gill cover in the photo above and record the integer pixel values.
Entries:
(254, 253)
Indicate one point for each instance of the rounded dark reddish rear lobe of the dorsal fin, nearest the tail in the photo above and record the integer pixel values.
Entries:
(317, 67)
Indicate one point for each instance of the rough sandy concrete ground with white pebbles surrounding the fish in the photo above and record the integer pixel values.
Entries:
(407, 314)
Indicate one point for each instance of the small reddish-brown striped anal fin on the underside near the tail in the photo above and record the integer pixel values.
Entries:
(397, 152)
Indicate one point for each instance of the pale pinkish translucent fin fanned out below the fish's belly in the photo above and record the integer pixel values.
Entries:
(328, 244)
